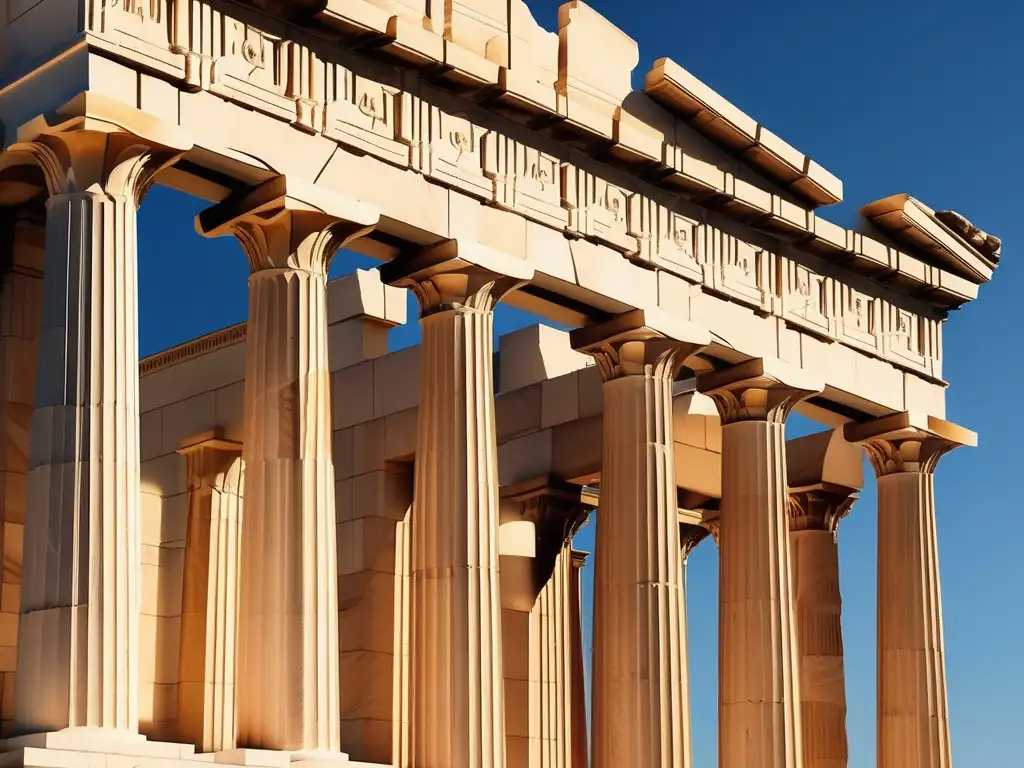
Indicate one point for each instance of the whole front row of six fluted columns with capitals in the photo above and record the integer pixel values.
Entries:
(781, 653)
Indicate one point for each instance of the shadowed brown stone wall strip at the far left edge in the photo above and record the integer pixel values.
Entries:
(21, 303)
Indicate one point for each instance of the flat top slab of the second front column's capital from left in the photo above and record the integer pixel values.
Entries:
(282, 195)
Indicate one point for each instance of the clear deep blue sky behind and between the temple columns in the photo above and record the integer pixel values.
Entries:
(923, 98)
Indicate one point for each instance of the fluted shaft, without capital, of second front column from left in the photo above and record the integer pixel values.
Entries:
(288, 684)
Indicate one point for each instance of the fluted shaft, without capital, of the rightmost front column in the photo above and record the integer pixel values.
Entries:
(913, 709)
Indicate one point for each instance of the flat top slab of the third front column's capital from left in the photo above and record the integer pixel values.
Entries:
(455, 257)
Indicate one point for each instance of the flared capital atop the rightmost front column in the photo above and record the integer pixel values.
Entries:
(909, 442)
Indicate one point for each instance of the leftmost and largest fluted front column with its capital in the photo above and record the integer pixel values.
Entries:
(78, 656)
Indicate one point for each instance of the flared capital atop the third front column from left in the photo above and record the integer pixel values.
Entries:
(458, 275)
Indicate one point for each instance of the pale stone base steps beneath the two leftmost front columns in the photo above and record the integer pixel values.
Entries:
(102, 749)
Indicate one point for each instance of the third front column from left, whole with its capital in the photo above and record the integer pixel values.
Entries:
(456, 707)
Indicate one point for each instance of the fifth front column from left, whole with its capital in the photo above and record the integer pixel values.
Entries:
(759, 684)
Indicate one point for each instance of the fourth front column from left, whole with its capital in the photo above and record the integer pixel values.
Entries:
(638, 706)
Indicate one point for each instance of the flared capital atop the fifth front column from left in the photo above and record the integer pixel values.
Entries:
(761, 390)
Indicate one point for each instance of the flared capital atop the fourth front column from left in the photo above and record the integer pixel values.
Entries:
(641, 343)
